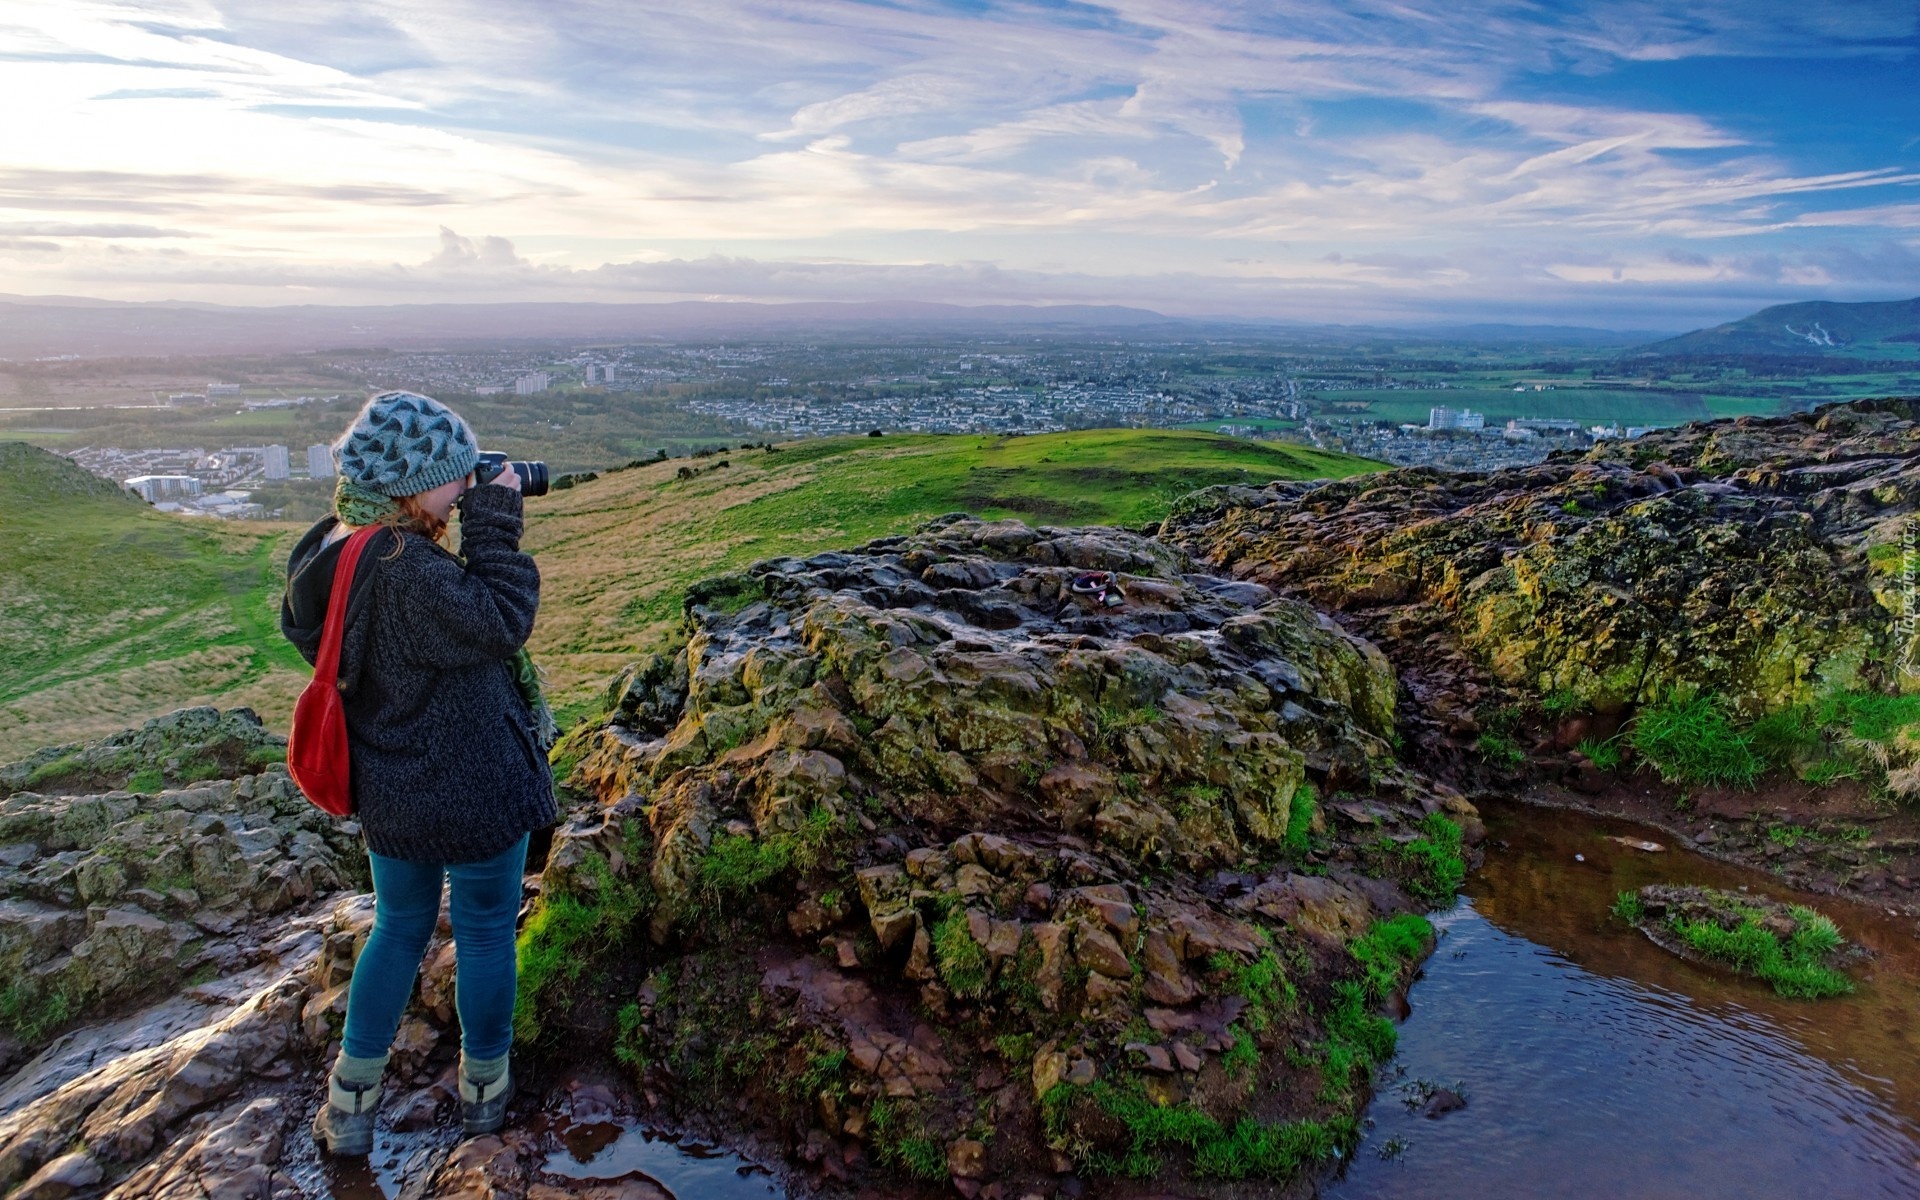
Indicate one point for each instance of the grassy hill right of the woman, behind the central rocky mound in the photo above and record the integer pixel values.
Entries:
(617, 554)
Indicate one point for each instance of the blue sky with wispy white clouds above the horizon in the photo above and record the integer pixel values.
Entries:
(1637, 164)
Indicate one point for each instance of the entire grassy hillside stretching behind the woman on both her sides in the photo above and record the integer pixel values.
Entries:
(112, 613)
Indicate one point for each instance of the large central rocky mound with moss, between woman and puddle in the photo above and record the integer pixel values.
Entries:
(932, 844)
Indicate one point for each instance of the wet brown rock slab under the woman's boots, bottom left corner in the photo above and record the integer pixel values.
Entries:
(208, 1093)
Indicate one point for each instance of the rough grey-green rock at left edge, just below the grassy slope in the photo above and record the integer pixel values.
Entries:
(114, 898)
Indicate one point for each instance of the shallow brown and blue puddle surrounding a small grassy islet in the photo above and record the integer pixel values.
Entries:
(1596, 1065)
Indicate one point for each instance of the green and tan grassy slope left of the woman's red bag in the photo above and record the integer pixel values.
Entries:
(112, 612)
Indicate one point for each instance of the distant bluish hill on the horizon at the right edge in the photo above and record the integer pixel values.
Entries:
(1817, 327)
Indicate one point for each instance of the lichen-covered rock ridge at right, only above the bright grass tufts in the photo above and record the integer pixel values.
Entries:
(1729, 558)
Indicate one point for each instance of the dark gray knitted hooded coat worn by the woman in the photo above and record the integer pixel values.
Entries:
(446, 767)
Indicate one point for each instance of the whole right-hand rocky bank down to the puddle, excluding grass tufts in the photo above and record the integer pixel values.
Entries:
(1535, 612)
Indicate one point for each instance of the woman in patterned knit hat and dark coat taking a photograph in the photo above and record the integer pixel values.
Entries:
(441, 706)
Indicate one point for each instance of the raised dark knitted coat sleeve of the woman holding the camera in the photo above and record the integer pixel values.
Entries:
(456, 615)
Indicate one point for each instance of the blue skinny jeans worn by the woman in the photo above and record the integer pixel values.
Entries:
(485, 903)
